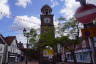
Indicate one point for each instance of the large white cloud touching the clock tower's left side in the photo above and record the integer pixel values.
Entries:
(22, 22)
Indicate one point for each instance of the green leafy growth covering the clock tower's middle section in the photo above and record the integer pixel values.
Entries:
(46, 38)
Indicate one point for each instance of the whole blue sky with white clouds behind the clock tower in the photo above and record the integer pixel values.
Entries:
(15, 15)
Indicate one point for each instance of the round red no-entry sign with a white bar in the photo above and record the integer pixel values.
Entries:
(86, 14)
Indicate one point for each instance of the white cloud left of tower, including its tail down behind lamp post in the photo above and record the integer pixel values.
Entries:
(22, 22)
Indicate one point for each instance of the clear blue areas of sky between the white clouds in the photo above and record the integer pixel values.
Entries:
(30, 9)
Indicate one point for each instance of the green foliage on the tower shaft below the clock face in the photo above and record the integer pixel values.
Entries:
(47, 37)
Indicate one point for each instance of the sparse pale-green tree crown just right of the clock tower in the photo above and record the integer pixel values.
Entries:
(70, 27)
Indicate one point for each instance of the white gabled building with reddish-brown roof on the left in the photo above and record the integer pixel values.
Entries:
(13, 50)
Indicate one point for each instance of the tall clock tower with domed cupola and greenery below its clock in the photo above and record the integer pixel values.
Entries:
(47, 25)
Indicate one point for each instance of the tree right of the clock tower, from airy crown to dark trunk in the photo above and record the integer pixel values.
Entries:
(71, 27)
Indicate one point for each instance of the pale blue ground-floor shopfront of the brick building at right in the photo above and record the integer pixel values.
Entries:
(82, 55)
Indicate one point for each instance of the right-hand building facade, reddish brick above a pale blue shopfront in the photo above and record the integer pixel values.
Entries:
(82, 53)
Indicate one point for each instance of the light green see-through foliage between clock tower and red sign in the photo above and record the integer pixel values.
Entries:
(70, 28)
